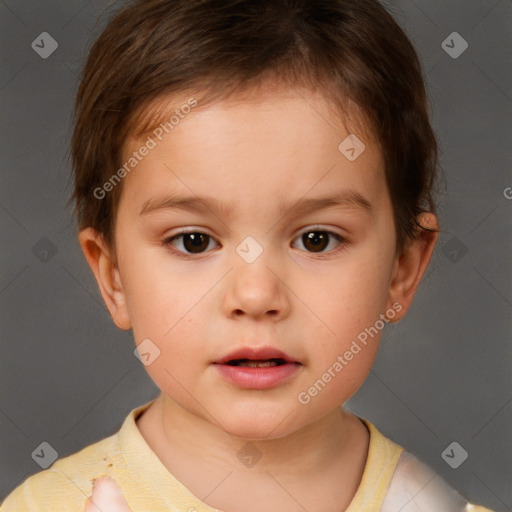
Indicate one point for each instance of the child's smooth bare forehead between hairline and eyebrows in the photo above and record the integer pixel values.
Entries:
(283, 143)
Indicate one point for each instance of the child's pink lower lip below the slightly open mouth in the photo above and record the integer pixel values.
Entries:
(258, 378)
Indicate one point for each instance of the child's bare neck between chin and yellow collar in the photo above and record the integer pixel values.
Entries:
(327, 456)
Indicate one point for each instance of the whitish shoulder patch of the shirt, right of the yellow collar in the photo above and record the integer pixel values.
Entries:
(416, 486)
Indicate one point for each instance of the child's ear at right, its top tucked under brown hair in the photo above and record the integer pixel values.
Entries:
(410, 266)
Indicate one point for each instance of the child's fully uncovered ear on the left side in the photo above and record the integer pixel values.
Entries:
(102, 263)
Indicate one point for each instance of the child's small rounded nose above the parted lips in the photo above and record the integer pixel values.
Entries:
(258, 290)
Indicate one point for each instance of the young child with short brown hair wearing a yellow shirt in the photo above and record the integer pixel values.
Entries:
(253, 184)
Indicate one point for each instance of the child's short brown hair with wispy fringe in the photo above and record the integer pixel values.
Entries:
(349, 50)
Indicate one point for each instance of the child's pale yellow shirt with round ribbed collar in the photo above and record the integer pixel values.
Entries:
(149, 487)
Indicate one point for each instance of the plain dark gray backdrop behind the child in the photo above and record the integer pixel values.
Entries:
(69, 376)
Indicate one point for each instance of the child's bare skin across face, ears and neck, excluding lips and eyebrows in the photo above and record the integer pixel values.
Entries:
(257, 155)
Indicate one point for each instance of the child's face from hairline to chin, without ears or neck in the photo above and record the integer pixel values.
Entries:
(288, 246)
